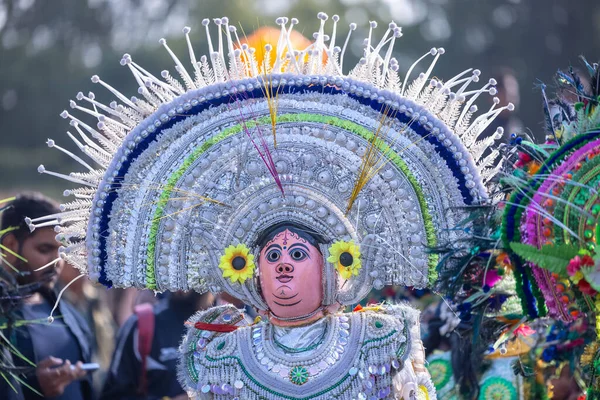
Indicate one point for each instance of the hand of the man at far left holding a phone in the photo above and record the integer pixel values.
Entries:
(54, 376)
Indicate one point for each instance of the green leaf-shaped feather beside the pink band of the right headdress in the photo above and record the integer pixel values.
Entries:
(554, 258)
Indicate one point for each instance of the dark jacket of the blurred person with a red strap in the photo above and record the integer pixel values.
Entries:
(124, 375)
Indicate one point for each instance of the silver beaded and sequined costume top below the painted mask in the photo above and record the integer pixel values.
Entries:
(359, 355)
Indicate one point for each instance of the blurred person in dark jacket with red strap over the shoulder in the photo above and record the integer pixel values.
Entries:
(144, 364)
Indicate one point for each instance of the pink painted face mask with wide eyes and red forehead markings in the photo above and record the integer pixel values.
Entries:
(291, 275)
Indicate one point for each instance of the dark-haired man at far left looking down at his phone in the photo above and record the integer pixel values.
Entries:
(58, 349)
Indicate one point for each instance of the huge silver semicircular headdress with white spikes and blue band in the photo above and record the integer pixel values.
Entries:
(237, 145)
